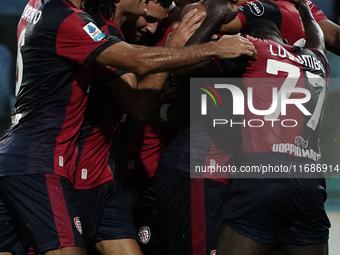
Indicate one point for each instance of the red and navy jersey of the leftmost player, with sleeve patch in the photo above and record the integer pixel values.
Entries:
(55, 56)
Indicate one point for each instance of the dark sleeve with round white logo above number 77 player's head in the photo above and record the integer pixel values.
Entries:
(260, 10)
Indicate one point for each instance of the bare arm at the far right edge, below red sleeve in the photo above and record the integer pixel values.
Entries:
(332, 35)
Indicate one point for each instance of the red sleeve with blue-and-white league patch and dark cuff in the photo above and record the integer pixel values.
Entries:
(80, 40)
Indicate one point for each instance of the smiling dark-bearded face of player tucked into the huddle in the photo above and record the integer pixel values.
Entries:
(157, 10)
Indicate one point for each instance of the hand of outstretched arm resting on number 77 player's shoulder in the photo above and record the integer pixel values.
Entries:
(232, 46)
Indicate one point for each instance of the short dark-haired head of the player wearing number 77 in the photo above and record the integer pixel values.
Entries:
(264, 29)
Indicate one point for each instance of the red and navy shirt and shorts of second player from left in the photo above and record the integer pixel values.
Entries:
(99, 197)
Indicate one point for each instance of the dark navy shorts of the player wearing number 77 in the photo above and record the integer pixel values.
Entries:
(286, 210)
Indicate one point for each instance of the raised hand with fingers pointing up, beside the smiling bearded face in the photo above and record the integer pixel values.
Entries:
(187, 27)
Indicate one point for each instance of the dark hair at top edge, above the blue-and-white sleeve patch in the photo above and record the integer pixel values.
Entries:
(104, 7)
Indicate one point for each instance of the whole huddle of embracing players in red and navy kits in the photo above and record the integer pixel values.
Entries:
(98, 158)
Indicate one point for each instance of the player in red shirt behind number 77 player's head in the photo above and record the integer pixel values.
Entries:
(284, 16)
